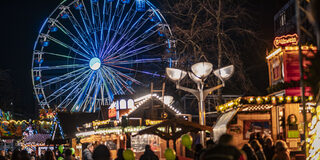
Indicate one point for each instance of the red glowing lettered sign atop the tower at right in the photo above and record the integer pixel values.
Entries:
(286, 40)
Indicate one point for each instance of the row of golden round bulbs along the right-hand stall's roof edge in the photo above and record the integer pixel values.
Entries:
(261, 100)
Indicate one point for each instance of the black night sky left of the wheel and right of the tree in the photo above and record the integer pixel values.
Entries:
(21, 21)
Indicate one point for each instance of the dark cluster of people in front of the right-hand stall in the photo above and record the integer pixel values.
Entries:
(257, 148)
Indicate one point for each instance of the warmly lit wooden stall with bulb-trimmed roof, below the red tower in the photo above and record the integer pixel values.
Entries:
(279, 117)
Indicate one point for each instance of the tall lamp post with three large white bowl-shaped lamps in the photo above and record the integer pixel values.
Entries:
(200, 72)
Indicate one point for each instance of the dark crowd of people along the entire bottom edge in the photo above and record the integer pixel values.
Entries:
(257, 148)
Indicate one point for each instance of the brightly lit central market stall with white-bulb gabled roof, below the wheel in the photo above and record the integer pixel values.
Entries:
(125, 118)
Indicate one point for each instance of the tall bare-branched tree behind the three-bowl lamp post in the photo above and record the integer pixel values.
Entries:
(212, 30)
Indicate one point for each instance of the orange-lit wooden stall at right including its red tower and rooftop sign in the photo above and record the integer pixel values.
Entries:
(278, 114)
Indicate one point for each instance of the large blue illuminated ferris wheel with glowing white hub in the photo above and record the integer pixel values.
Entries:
(87, 51)
